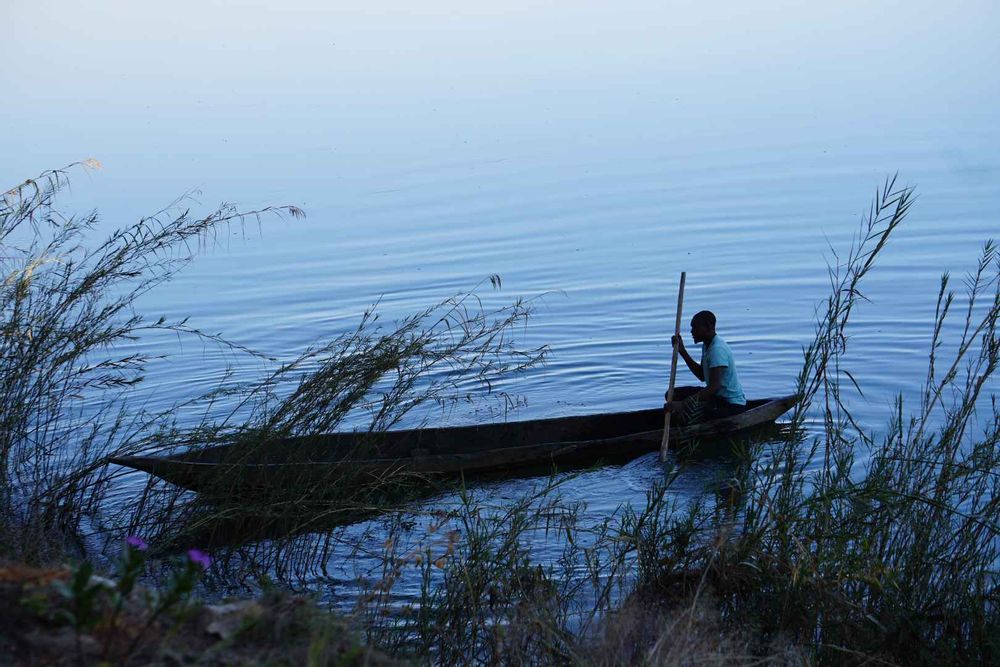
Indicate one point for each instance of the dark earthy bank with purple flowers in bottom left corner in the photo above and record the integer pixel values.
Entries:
(70, 616)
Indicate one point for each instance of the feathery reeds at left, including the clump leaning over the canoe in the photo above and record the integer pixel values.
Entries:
(68, 309)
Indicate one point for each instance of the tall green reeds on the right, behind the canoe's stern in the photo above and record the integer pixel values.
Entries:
(893, 557)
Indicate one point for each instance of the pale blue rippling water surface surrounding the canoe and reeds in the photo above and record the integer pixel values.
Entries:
(587, 153)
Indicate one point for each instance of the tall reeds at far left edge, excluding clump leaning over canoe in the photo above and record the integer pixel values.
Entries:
(68, 310)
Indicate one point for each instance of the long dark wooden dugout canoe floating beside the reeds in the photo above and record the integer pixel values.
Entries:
(339, 461)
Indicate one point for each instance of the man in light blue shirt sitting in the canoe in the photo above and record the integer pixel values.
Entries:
(723, 396)
